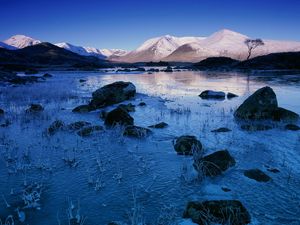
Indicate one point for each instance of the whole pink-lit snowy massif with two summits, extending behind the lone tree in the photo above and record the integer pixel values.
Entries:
(193, 49)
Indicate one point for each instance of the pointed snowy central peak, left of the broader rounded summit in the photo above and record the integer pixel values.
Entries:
(156, 49)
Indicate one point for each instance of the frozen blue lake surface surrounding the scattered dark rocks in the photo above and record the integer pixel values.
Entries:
(117, 178)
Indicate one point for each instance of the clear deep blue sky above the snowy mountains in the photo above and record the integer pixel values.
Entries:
(126, 24)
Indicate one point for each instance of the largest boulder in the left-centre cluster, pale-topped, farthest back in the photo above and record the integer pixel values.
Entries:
(112, 93)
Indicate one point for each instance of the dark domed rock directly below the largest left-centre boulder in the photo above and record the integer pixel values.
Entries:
(118, 116)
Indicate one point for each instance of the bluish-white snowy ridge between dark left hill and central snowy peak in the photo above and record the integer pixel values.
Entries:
(89, 51)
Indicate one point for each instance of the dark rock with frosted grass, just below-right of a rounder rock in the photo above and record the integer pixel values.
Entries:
(214, 164)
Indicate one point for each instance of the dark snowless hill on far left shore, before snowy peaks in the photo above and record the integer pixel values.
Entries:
(46, 54)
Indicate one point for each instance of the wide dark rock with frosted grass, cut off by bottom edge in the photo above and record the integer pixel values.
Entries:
(217, 212)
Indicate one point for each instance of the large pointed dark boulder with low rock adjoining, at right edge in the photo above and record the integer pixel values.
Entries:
(262, 105)
